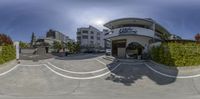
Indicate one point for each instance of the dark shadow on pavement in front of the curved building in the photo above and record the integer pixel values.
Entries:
(128, 74)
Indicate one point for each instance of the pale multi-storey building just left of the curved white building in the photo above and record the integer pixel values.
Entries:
(90, 37)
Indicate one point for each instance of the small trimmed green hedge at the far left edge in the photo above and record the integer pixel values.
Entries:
(7, 53)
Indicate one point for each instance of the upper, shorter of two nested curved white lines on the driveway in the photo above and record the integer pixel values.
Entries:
(76, 72)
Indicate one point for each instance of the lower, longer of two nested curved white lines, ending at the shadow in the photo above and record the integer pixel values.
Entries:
(81, 78)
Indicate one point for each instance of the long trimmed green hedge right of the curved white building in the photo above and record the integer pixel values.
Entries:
(177, 54)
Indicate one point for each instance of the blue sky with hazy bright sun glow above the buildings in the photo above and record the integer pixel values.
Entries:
(19, 18)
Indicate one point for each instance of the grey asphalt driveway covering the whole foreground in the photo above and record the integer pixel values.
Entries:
(92, 78)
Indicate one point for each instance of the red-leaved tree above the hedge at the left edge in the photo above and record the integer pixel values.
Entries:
(5, 40)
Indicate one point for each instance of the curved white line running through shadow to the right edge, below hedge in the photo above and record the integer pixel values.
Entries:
(171, 76)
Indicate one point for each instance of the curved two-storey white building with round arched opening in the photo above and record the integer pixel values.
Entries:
(131, 37)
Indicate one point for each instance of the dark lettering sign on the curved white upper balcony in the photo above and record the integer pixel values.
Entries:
(128, 30)
